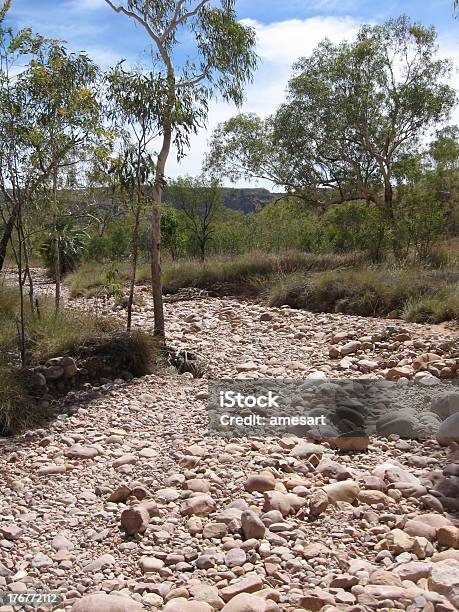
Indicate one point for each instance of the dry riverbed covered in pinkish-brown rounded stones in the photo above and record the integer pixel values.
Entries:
(127, 497)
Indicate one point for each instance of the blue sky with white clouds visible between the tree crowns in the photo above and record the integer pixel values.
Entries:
(286, 30)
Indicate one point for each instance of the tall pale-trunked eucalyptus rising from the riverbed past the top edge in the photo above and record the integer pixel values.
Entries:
(221, 60)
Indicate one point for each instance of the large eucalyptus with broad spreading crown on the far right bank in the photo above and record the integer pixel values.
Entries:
(353, 109)
